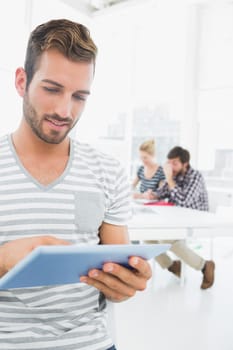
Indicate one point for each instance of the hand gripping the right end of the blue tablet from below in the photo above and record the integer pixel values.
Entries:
(118, 283)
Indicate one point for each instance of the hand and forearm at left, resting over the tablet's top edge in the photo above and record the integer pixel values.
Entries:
(14, 251)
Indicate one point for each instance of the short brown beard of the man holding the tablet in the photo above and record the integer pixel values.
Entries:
(35, 122)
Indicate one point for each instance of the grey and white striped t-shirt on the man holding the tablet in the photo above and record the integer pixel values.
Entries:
(92, 189)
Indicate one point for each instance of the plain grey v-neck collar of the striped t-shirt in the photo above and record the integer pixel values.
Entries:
(31, 178)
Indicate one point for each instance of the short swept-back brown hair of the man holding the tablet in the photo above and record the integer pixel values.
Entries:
(69, 38)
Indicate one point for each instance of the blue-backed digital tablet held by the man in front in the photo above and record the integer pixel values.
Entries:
(53, 265)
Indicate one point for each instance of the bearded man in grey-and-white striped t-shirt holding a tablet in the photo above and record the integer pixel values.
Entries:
(54, 190)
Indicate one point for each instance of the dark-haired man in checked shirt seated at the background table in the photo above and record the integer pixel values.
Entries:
(184, 187)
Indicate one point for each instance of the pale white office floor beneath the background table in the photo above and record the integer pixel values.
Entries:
(170, 316)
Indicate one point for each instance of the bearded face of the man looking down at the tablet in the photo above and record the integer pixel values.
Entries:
(56, 96)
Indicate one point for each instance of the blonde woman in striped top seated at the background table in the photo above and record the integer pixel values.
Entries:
(150, 174)
